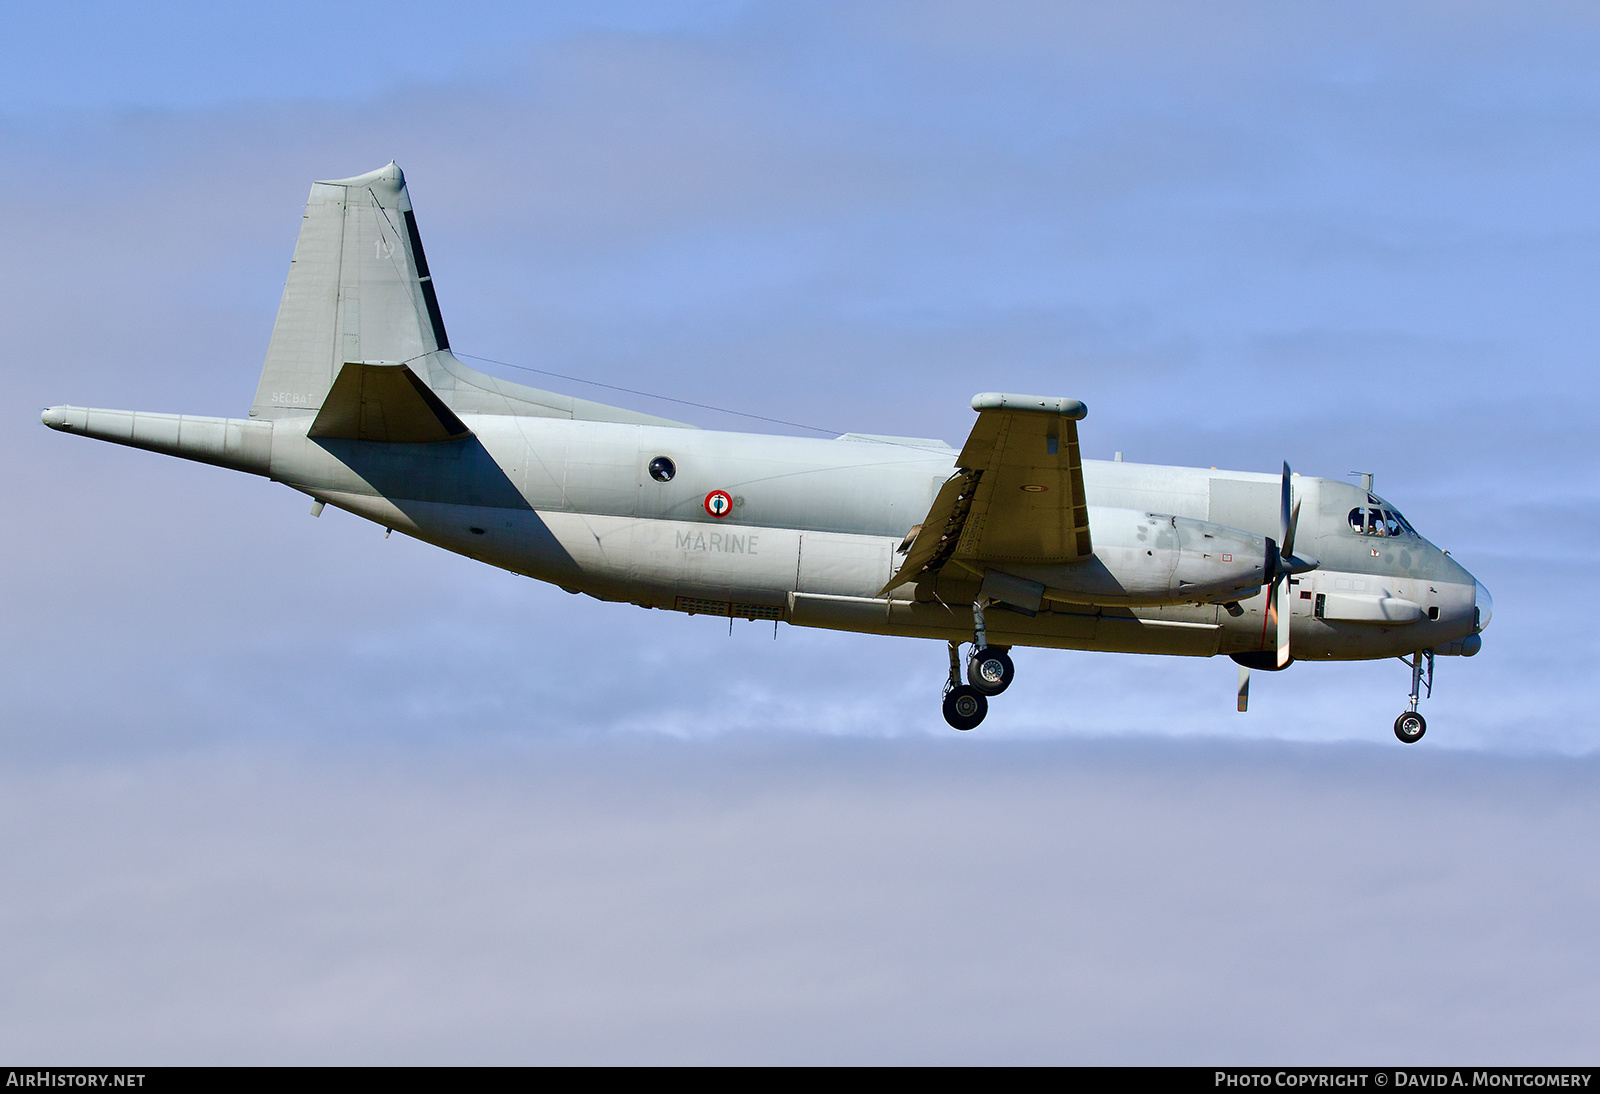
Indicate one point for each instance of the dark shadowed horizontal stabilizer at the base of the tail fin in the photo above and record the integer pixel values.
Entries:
(385, 404)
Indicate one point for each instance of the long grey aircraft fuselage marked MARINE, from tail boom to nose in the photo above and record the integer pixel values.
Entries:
(814, 527)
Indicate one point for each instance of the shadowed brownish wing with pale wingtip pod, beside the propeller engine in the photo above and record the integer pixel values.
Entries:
(1017, 497)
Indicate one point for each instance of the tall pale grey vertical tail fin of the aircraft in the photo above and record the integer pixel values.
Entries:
(359, 290)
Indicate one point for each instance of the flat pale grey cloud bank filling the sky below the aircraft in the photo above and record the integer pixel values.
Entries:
(801, 901)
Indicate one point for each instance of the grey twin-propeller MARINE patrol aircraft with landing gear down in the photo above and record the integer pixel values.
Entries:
(1014, 540)
